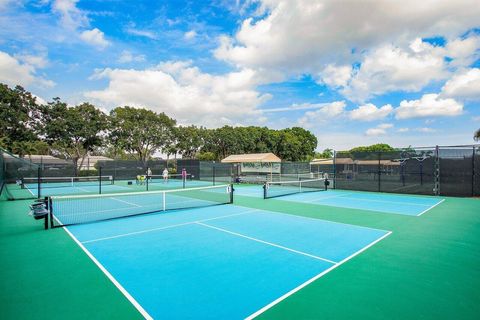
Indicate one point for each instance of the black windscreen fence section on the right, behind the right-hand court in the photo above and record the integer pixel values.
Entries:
(448, 171)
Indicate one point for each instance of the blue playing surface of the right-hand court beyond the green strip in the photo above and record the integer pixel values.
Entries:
(378, 202)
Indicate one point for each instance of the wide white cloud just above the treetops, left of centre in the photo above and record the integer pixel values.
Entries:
(184, 92)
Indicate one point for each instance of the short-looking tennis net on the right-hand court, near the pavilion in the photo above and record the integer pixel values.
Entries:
(283, 188)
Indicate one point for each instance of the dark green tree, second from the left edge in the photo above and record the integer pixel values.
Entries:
(73, 131)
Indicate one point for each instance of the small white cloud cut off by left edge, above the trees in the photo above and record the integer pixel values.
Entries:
(13, 72)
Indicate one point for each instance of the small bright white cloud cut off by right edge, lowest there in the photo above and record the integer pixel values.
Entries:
(464, 85)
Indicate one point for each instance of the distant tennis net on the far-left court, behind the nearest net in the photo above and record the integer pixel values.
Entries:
(61, 182)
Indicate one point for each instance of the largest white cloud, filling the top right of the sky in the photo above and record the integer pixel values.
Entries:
(326, 31)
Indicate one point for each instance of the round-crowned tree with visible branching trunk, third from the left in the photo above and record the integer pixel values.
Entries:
(140, 132)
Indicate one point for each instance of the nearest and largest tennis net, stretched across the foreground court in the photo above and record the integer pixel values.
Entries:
(69, 210)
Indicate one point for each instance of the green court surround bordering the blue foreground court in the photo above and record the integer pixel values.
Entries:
(428, 268)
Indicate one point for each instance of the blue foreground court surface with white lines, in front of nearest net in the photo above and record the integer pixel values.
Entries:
(219, 262)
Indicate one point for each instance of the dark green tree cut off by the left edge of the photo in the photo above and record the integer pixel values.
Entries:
(18, 111)
